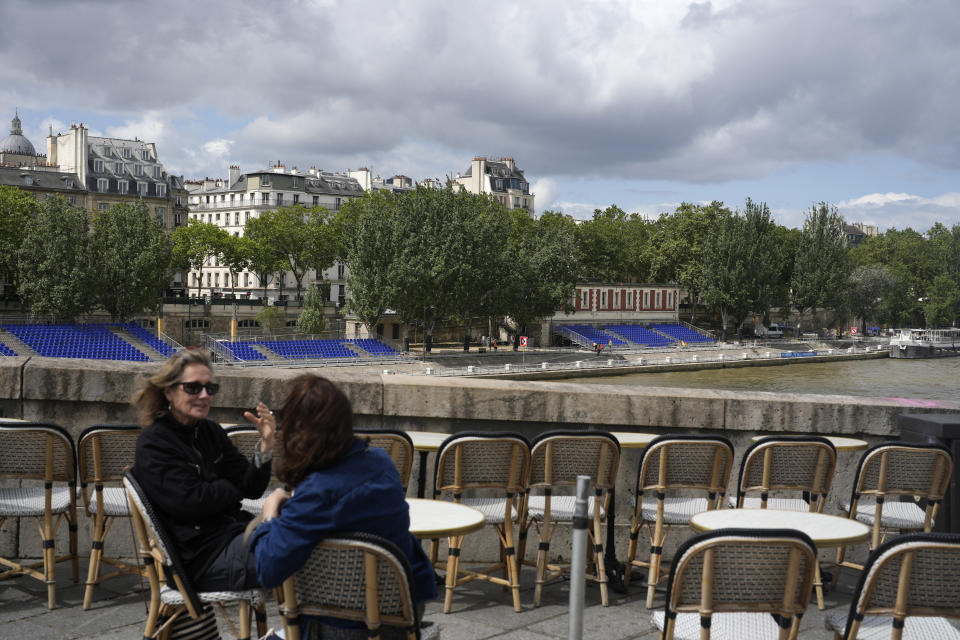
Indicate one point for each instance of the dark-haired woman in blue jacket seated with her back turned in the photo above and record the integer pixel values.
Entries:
(340, 484)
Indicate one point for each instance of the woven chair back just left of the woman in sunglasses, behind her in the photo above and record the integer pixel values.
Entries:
(105, 450)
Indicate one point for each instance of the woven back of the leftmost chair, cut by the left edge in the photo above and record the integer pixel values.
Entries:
(37, 451)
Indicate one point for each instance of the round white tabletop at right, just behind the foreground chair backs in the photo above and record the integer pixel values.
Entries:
(825, 530)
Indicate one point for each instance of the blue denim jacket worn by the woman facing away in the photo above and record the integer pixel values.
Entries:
(360, 493)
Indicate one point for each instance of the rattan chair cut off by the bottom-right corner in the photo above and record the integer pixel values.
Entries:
(908, 588)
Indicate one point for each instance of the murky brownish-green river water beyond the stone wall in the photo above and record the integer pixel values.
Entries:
(934, 379)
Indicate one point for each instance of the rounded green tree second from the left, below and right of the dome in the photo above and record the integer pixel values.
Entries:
(54, 262)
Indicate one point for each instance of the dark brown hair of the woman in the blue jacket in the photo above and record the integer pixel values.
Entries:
(316, 425)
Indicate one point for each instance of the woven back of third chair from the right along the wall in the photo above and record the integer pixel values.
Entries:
(686, 462)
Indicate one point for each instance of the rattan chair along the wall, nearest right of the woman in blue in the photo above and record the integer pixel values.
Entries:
(493, 468)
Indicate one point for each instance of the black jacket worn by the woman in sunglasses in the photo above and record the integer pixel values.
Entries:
(195, 479)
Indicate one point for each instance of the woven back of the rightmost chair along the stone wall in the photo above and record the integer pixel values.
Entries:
(903, 468)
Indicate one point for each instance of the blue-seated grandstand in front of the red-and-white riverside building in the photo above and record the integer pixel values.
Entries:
(630, 337)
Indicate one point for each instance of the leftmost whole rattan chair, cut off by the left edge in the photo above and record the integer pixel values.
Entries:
(38, 452)
